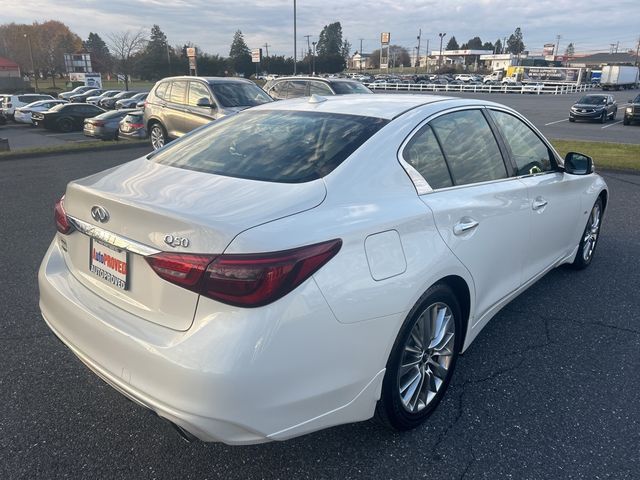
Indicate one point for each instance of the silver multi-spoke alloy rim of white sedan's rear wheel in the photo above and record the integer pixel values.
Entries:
(426, 358)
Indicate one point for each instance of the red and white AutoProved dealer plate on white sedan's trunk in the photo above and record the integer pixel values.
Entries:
(109, 263)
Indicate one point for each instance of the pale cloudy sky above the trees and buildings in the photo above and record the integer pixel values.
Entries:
(210, 24)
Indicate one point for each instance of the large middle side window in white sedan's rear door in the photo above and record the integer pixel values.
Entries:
(469, 147)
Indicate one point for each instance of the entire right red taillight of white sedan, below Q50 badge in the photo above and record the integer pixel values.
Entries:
(245, 280)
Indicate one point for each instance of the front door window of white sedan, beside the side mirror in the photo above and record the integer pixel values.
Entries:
(530, 154)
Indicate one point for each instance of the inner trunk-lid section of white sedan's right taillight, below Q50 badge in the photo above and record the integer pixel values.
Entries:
(182, 269)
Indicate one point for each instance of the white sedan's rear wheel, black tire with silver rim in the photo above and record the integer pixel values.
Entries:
(417, 373)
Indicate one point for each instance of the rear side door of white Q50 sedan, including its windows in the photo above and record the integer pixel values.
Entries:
(481, 212)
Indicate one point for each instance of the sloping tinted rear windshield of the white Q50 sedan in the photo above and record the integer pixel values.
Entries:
(272, 146)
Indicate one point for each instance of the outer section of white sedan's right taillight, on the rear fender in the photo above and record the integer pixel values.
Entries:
(257, 280)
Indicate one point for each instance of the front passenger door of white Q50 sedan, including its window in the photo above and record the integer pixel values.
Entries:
(554, 196)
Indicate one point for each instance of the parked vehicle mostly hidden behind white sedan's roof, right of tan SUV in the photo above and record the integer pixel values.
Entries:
(292, 87)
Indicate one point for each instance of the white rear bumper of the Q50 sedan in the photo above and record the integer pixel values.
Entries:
(240, 377)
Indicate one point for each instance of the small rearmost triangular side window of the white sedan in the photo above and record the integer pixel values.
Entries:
(423, 153)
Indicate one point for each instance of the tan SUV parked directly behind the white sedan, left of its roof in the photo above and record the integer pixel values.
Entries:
(178, 105)
